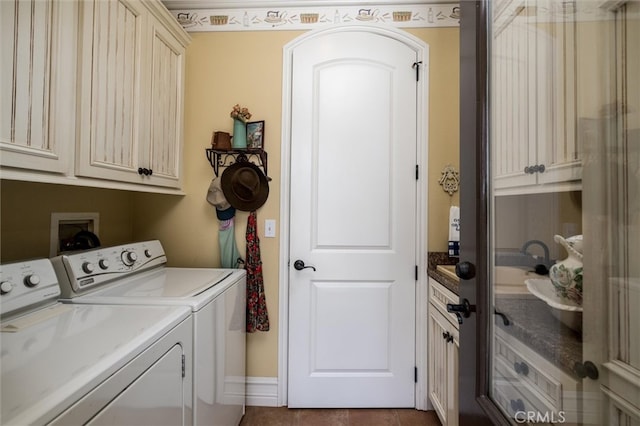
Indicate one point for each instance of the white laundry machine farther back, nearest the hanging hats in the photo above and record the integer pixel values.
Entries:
(136, 274)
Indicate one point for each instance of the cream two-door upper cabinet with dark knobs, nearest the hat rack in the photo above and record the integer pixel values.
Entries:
(131, 100)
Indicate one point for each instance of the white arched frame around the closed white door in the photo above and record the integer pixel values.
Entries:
(422, 148)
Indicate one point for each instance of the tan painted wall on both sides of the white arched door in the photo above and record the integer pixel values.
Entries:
(246, 67)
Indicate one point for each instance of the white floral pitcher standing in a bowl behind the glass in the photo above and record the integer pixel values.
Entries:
(566, 275)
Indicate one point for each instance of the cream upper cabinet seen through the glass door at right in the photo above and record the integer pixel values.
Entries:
(535, 82)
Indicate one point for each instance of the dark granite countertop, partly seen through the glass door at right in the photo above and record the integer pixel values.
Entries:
(530, 321)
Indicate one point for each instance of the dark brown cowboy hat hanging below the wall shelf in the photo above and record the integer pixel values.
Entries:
(245, 186)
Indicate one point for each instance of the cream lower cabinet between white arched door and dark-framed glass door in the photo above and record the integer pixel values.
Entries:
(443, 354)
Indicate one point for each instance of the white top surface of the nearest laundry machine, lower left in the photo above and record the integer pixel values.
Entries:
(49, 361)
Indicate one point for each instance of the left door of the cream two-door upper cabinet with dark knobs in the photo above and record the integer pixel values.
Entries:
(110, 119)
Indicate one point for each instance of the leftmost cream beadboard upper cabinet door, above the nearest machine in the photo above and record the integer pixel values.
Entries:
(37, 85)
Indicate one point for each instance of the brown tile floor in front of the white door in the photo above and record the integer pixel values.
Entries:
(270, 416)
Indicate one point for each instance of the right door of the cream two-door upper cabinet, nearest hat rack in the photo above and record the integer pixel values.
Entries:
(163, 152)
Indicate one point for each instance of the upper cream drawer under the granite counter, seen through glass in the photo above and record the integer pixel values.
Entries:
(522, 368)
